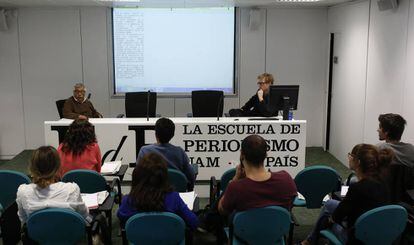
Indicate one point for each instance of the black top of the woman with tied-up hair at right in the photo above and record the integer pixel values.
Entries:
(362, 196)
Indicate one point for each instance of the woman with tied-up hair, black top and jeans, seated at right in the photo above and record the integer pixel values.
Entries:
(371, 191)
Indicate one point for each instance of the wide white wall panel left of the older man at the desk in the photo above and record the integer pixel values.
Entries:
(51, 62)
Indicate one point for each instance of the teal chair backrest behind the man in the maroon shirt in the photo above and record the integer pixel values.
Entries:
(266, 225)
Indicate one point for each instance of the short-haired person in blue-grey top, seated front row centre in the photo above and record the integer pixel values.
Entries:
(175, 156)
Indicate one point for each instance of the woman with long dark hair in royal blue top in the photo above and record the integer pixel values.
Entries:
(151, 192)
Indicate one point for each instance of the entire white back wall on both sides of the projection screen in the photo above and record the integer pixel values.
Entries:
(60, 46)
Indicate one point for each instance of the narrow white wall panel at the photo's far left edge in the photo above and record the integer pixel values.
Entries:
(12, 139)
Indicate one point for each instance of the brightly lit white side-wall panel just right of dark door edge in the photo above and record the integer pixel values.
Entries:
(350, 25)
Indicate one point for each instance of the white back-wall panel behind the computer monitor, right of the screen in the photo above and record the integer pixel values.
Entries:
(296, 53)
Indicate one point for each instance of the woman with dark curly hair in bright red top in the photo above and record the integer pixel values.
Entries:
(79, 149)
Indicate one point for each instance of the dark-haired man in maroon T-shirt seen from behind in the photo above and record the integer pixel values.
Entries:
(253, 186)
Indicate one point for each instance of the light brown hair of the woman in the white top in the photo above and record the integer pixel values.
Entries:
(44, 165)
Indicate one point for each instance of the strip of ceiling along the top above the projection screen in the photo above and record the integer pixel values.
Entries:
(170, 3)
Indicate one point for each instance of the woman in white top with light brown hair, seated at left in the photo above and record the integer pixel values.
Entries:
(46, 191)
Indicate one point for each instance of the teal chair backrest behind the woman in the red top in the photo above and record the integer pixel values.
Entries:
(89, 181)
